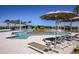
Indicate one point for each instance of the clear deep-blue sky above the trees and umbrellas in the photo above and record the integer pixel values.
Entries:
(31, 13)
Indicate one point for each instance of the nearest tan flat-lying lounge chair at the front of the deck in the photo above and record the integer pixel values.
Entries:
(39, 47)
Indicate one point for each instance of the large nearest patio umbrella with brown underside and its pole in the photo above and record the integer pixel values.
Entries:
(58, 16)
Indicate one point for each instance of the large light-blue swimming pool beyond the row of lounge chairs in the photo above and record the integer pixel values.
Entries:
(26, 34)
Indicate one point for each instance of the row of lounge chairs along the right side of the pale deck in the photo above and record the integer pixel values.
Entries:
(52, 41)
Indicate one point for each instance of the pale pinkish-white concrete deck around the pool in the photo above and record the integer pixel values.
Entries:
(19, 46)
